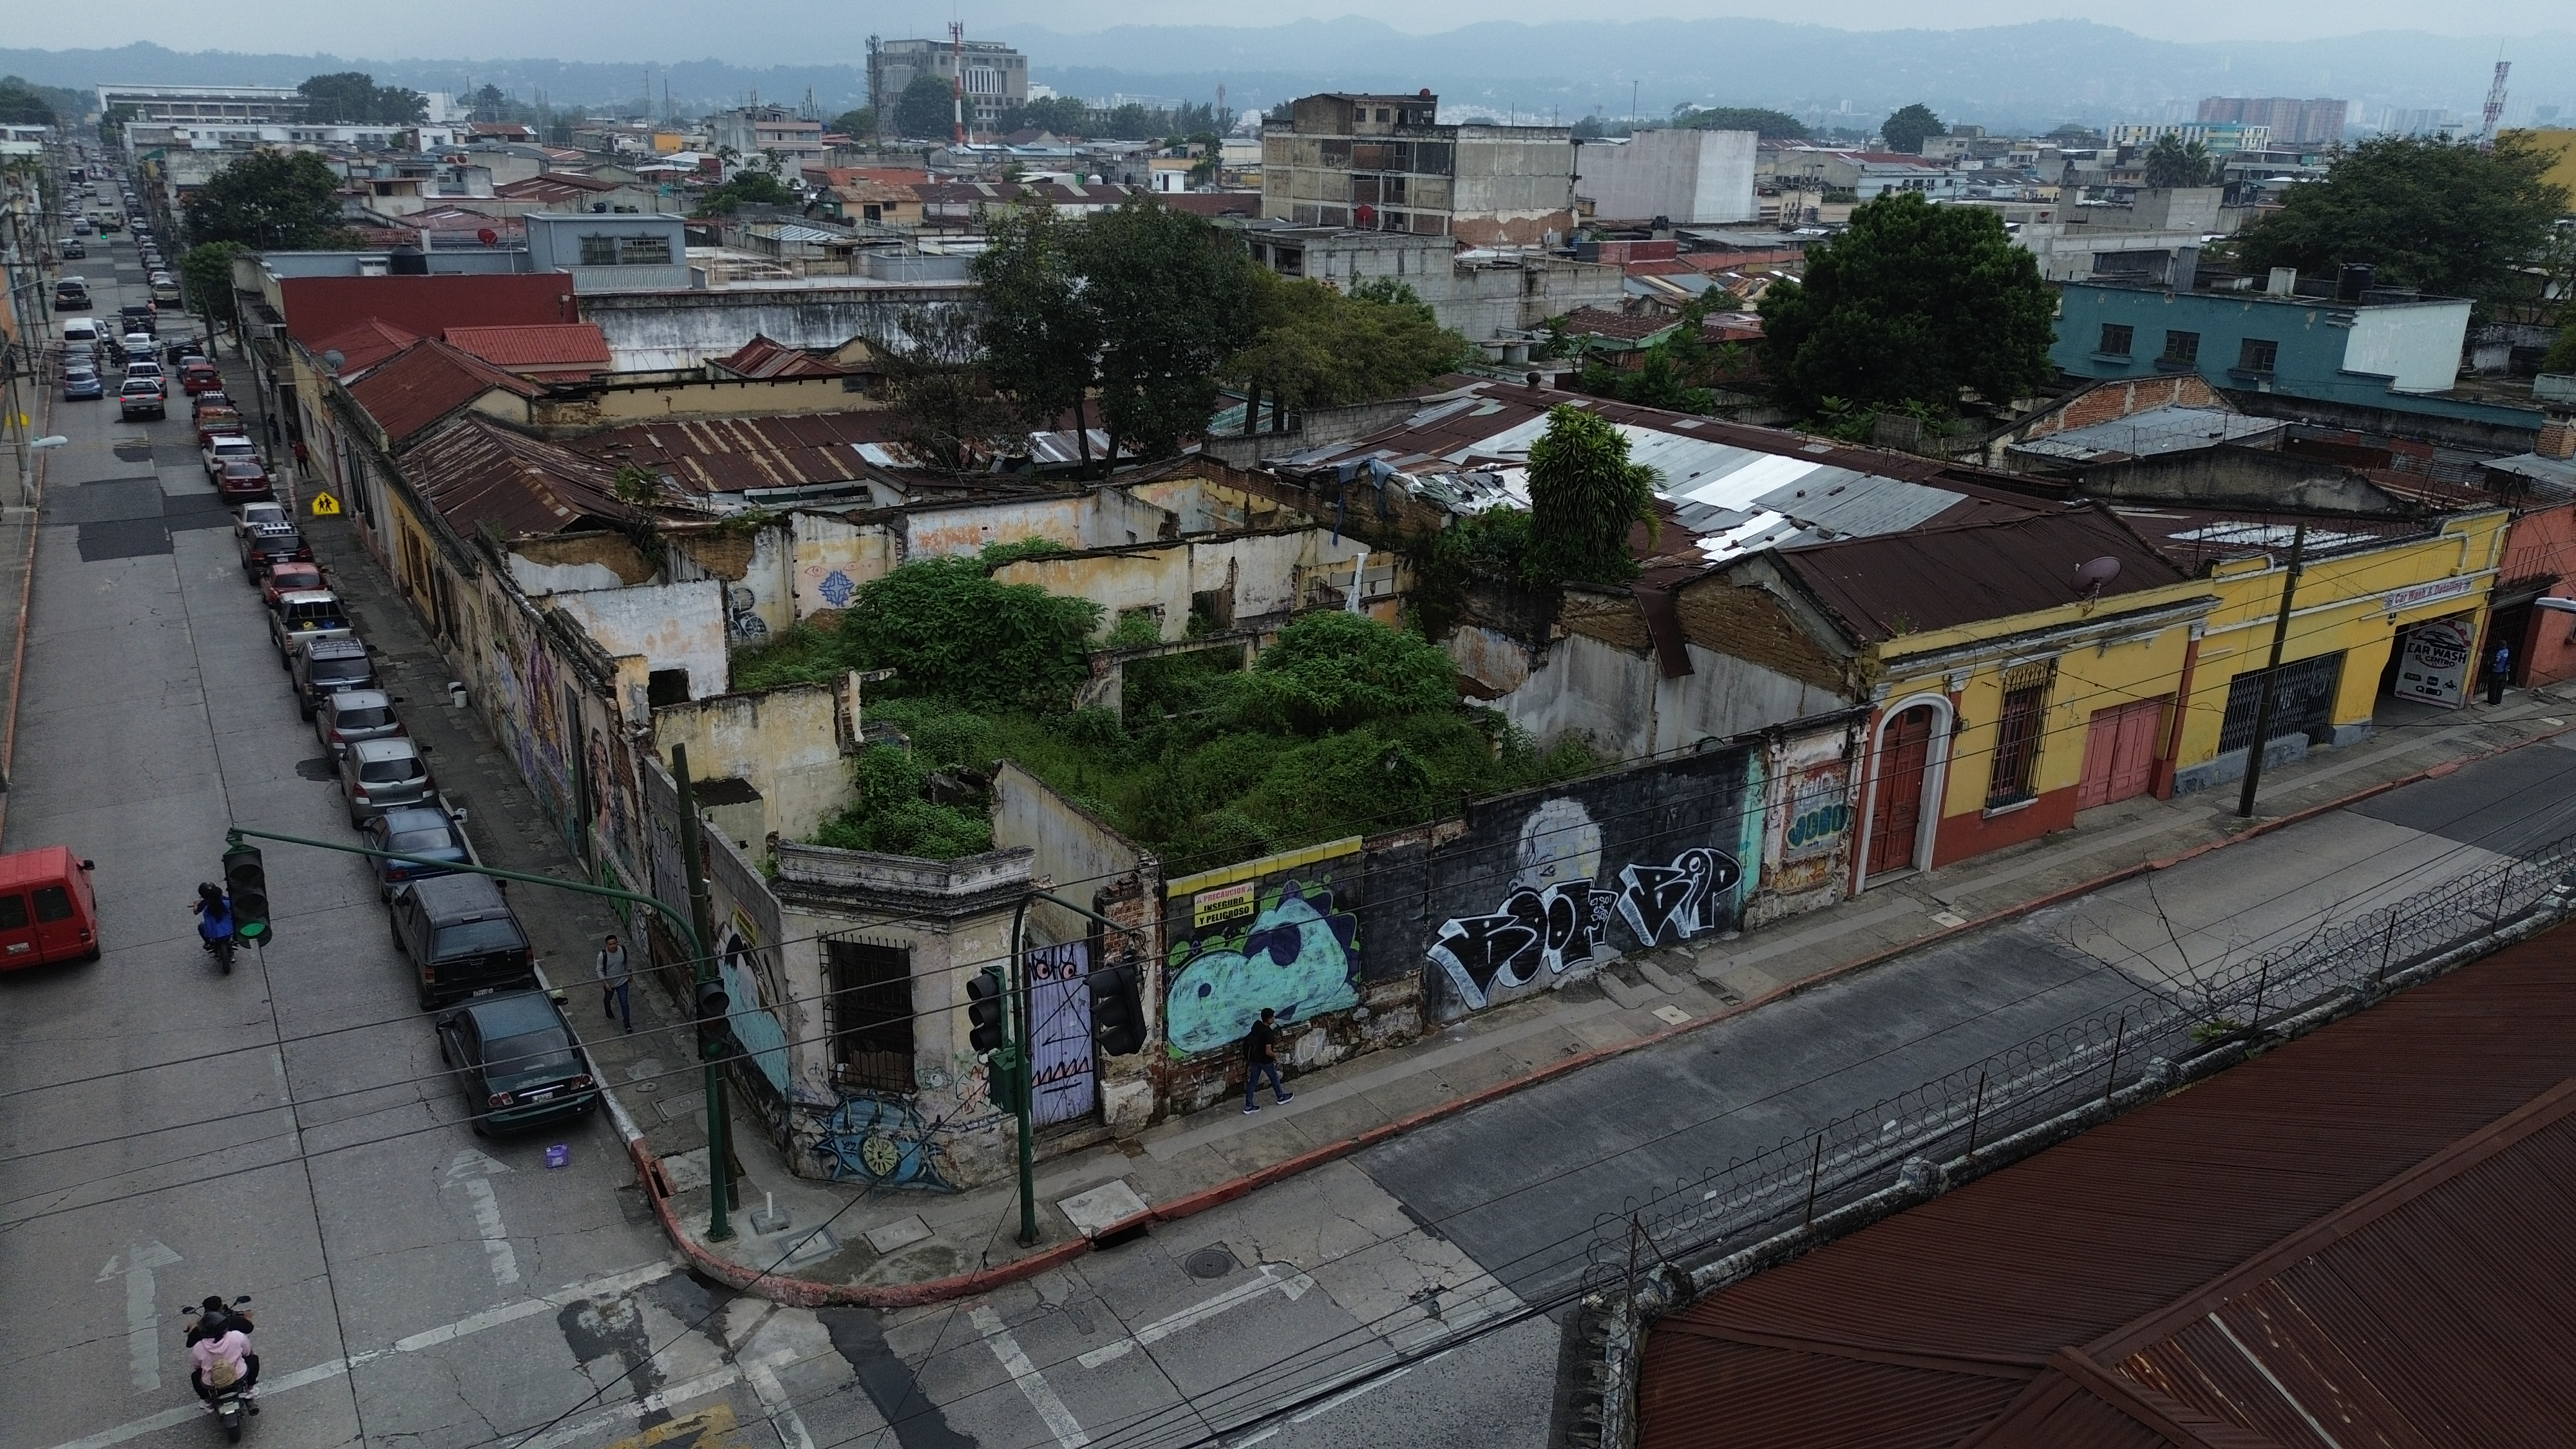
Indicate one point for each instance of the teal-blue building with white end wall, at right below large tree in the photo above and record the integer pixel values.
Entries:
(2366, 349)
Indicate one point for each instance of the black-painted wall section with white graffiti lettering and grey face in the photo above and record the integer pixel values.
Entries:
(1549, 883)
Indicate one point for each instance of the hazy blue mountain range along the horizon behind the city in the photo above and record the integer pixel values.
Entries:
(1998, 76)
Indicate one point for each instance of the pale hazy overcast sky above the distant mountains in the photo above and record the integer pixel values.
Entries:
(805, 35)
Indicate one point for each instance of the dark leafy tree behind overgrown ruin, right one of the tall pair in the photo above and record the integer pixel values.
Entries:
(1176, 306)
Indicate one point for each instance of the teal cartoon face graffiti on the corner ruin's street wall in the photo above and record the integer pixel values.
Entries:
(1297, 958)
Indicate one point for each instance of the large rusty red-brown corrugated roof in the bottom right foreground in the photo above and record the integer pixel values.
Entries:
(2358, 1239)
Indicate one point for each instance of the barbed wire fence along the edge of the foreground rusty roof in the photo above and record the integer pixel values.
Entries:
(1768, 1205)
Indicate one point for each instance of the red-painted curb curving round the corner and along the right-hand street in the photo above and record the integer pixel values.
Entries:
(808, 1293)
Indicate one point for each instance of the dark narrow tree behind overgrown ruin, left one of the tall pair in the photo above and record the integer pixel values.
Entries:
(1042, 336)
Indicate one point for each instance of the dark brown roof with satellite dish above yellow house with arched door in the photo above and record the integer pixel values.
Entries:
(1967, 574)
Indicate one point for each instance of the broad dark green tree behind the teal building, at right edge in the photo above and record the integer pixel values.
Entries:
(2428, 213)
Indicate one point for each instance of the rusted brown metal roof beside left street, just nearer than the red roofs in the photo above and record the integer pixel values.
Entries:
(475, 473)
